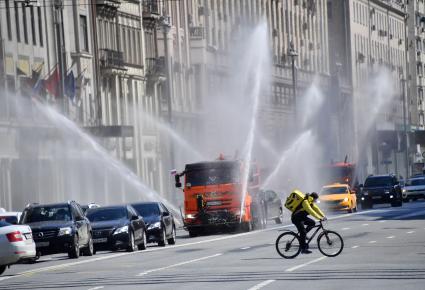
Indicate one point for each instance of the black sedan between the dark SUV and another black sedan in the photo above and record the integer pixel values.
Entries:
(117, 227)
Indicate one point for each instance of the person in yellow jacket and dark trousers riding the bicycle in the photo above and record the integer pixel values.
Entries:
(300, 218)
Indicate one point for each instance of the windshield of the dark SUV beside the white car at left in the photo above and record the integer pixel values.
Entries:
(47, 213)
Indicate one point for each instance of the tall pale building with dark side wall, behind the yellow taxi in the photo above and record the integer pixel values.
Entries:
(369, 38)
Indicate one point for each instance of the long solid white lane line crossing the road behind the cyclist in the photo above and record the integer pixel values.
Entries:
(112, 256)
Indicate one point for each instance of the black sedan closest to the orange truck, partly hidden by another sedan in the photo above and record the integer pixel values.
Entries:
(159, 221)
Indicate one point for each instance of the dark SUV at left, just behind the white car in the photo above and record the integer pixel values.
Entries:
(59, 228)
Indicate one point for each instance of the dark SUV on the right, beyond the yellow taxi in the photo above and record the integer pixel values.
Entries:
(381, 189)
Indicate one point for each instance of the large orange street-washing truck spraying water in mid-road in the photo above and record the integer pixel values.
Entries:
(213, 196)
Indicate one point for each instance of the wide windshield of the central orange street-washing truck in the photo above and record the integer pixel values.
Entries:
(210, 176)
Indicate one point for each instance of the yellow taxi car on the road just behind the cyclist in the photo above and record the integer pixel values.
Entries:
(338, 197)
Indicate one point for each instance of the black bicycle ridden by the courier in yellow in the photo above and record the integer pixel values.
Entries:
(330, 243)
